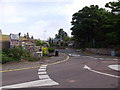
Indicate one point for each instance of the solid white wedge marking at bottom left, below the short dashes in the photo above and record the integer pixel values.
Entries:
(45, 82)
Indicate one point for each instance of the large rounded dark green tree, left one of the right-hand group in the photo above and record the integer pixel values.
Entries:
(87, 24)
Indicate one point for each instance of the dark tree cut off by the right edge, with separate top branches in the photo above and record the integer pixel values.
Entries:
(113, 24)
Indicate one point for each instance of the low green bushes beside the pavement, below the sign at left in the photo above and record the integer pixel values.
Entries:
(16, 54)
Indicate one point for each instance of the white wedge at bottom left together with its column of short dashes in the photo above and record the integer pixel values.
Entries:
(45, 81)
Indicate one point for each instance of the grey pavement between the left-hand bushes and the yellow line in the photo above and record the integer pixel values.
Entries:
(27, 64)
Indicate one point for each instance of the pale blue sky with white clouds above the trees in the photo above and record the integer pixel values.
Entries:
(41, 18)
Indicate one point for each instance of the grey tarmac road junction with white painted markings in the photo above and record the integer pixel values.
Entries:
(68, 74)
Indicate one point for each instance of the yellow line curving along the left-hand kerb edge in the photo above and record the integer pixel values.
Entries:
(67, 58)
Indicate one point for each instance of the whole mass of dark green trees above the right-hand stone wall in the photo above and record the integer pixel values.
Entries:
(97, 27)
